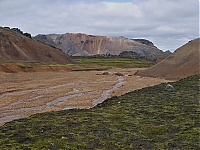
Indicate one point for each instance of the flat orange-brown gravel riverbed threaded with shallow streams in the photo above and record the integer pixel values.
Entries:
(22, 95)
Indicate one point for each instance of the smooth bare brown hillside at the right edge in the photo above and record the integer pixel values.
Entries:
(185, 61)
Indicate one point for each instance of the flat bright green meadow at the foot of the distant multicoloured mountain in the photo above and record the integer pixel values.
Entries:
(115, 62)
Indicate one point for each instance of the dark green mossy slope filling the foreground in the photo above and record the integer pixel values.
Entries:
(150, 118)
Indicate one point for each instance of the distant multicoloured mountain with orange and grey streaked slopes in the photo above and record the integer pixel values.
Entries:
(88, 45)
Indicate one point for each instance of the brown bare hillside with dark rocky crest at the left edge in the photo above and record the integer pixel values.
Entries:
(16, 45)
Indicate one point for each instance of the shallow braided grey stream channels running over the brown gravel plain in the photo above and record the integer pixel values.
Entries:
(8, 110)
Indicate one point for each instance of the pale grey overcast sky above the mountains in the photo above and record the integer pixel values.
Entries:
(167, 23)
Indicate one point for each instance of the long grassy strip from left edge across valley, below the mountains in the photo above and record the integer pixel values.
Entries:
(83, 64)
